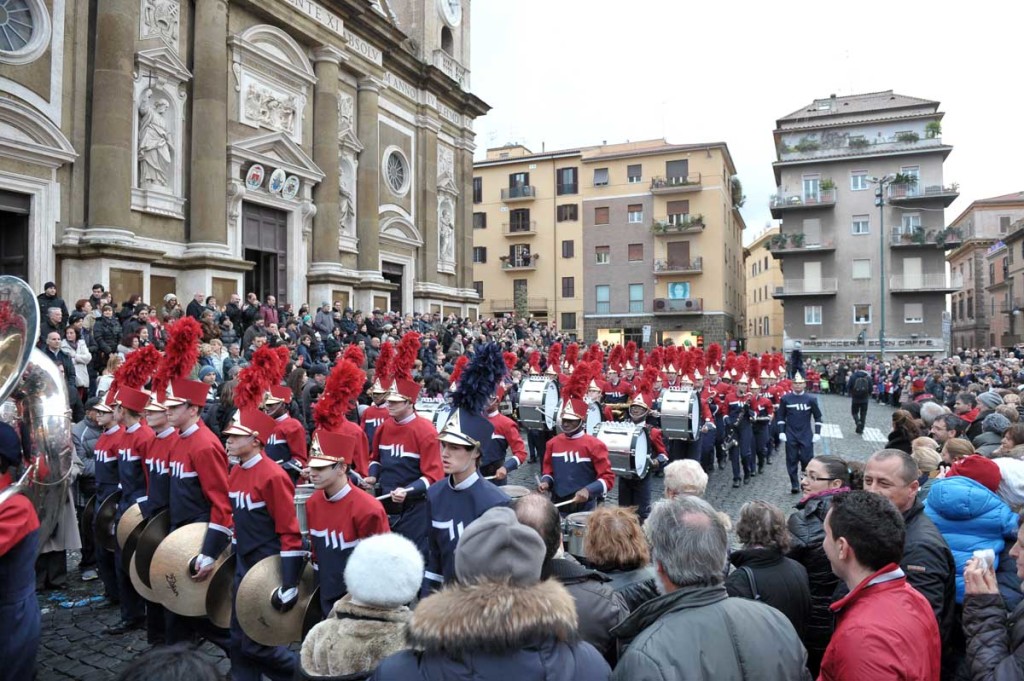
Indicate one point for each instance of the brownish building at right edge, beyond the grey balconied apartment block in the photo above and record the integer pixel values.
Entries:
(982, 227)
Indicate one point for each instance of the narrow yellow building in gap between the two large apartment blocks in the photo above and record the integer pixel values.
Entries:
(764, 311)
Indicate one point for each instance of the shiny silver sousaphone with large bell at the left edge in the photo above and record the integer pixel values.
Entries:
(34, 401)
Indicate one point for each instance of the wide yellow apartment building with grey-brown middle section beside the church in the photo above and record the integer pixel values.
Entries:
(611, 240)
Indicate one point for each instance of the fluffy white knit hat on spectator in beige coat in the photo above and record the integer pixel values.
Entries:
(385, 572)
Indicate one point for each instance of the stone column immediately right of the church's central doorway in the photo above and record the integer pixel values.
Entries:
(325, 246)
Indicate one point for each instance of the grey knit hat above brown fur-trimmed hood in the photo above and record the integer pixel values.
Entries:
(497, 546)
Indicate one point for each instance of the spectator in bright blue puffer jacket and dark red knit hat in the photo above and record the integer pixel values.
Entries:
(968, 512)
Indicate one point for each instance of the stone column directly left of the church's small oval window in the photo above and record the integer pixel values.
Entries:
(368, 202)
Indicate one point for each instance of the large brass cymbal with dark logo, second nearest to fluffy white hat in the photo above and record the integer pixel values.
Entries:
(170, 578)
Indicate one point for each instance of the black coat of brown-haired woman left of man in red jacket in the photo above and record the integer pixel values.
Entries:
(780, 582)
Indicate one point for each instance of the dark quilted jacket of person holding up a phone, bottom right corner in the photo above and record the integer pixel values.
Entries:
(995, 642)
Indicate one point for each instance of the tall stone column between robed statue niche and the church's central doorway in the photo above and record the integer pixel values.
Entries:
(208, 198)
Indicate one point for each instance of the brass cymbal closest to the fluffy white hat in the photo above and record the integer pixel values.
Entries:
(259, 619)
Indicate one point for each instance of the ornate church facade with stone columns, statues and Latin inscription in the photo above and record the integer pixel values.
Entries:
(312, 150)
